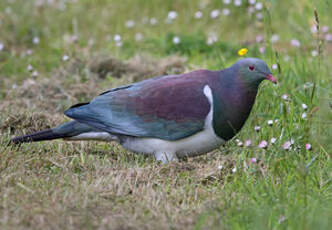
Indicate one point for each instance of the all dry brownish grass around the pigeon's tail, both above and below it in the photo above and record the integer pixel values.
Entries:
(88, 185)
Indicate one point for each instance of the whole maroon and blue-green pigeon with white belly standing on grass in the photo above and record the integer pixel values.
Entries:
(170, 116)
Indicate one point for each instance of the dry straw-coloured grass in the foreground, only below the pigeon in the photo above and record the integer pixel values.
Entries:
(69, 186)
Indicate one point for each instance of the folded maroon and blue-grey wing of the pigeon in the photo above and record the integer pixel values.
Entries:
(169, 107)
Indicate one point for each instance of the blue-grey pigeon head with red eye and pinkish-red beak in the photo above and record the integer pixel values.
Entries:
(253, 71)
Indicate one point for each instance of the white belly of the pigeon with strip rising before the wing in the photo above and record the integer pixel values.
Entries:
(199, 143)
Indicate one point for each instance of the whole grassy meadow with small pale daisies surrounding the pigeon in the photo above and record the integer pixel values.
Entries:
(276, 174)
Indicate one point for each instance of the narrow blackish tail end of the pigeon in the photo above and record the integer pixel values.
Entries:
(44, 135)
